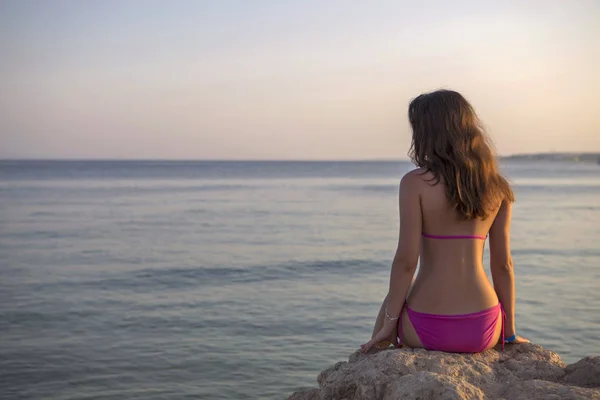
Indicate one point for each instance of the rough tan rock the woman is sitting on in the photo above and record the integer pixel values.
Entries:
(525, 371)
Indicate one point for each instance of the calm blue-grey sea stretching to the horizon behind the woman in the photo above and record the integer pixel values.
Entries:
(168, 280)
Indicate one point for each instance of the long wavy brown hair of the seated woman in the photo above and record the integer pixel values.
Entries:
(450, 142)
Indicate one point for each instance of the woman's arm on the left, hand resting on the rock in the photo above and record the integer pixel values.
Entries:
(406, 257)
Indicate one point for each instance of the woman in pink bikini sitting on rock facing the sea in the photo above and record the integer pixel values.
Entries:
(448, 207)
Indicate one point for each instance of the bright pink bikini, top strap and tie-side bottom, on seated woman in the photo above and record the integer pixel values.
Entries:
(464, 333)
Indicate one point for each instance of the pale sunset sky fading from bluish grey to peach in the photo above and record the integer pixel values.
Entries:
(277, 79)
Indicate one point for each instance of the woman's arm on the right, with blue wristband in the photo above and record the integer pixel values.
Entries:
(501, 265)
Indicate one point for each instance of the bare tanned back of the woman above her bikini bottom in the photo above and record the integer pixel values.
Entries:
(451, 278)
